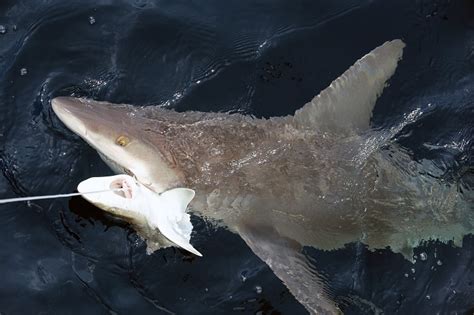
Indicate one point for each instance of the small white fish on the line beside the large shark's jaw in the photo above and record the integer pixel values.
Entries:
(124, 196)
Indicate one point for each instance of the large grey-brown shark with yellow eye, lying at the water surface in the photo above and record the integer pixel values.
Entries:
(319, 178)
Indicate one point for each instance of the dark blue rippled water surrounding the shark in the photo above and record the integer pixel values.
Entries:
(264, 58)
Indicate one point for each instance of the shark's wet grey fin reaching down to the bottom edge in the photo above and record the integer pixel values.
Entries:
(284, 256)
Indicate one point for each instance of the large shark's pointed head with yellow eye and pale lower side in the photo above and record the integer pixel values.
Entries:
(121, 143)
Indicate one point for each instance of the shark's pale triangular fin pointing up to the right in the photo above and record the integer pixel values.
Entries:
(346, 105)
